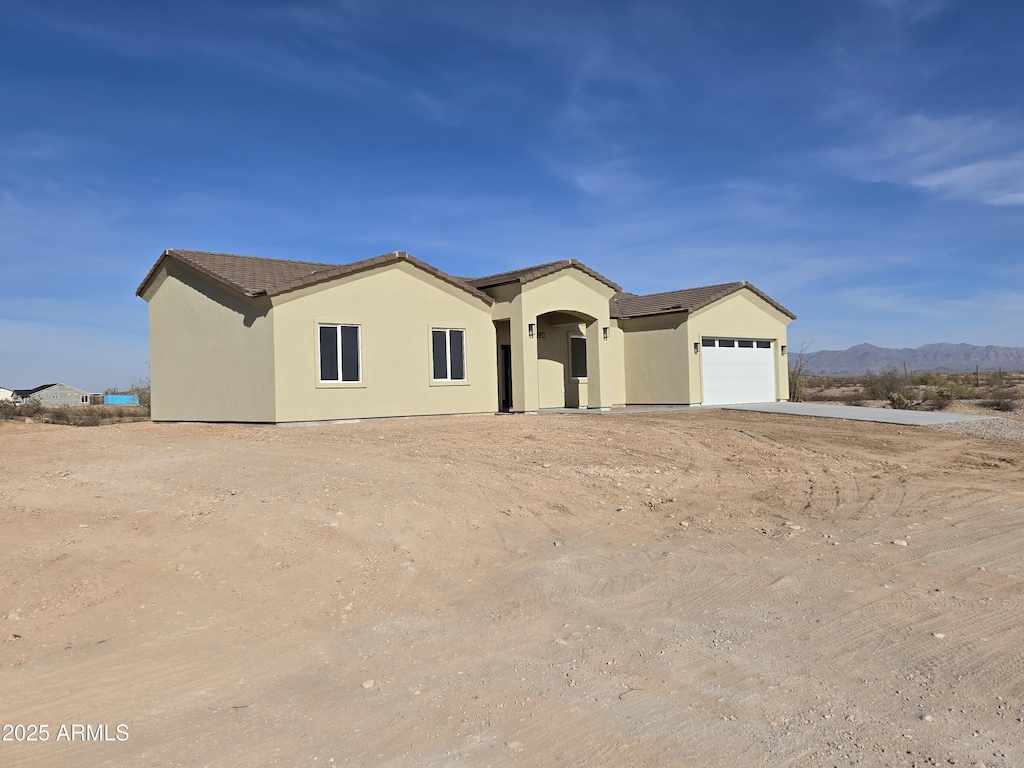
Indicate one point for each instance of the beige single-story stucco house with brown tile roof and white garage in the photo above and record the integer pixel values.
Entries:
(245, 339)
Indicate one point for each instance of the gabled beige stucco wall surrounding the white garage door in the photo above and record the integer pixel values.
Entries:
(744, 316)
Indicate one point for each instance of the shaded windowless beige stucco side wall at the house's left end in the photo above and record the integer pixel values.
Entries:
(211, 352)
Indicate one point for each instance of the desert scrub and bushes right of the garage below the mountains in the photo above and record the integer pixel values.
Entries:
(926, 391)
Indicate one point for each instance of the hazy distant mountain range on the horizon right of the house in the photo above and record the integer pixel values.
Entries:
(940, 358)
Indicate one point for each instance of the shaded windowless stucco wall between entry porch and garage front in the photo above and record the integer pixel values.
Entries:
(657, 365)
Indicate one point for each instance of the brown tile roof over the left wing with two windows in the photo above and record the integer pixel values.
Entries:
(262, 277)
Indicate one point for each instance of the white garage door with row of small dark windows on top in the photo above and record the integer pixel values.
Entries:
(738, 371)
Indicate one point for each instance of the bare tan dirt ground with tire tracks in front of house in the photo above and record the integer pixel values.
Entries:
(707, 588)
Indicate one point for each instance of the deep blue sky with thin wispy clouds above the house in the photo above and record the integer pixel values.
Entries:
(862, 161)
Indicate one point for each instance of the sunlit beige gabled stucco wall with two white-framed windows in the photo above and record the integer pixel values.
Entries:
(396, 308)
